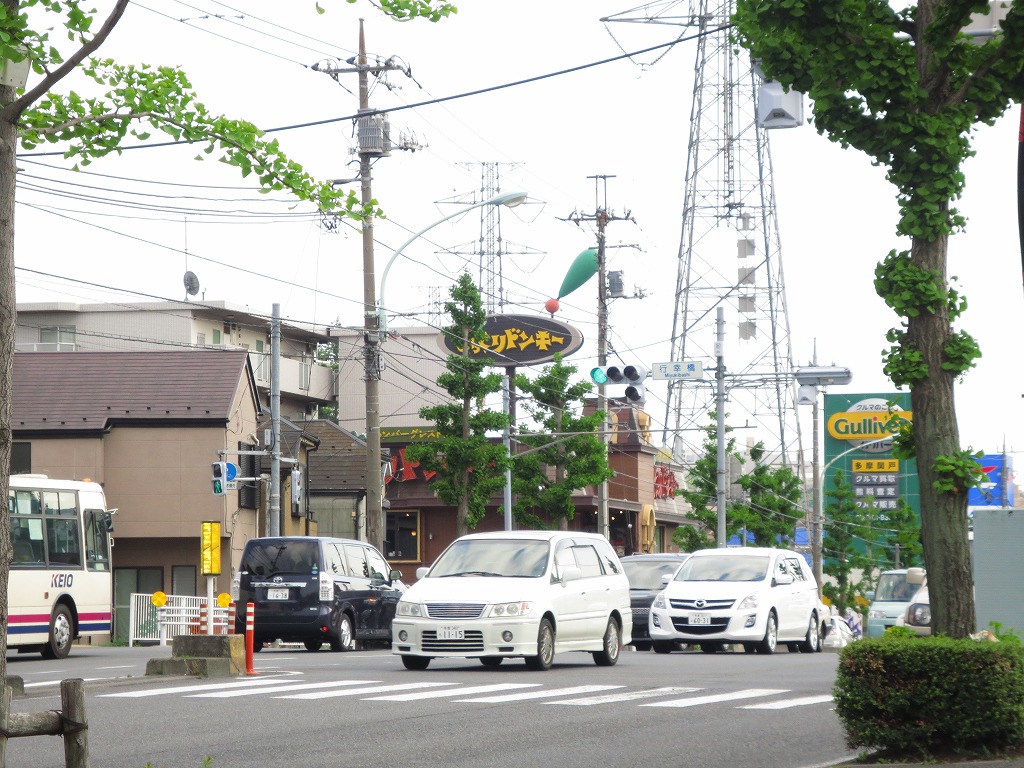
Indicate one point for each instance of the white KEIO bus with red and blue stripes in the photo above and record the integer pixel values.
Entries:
(60, 586)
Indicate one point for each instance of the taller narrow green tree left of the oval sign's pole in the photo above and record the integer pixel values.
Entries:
(471, 466)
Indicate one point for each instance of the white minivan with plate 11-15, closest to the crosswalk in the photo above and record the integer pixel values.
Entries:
(517, 593)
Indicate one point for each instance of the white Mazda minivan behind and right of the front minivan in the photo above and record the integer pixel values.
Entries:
(755, 596)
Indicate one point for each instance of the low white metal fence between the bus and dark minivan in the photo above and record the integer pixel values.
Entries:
(184, 615)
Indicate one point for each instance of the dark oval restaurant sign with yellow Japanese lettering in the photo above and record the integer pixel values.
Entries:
(520, 340)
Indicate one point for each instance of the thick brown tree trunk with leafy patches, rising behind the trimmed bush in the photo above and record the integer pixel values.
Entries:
(944, 516)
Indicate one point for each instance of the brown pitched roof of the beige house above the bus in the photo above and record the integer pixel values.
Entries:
(90, 392)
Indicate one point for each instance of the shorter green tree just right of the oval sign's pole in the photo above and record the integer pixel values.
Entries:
(571, 456)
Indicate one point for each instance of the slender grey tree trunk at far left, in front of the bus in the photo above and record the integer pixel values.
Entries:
(9, 318)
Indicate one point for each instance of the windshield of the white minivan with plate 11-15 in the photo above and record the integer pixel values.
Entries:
(493, 558)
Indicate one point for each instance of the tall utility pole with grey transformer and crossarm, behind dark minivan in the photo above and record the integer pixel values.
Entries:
(374, 142)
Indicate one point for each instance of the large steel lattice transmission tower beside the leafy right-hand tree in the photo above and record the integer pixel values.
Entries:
(730, 251)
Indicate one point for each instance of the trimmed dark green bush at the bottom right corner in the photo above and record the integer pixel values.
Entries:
(919, 698)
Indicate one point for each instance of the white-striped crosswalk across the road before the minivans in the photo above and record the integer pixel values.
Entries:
(288, 688)
